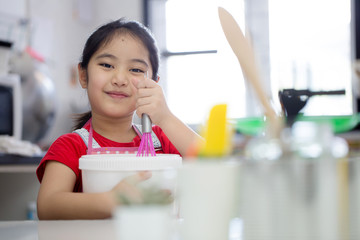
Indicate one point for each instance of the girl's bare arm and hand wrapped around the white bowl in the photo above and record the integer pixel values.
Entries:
(56, 199)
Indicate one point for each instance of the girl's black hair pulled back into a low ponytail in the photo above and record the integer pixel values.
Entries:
(104, 35)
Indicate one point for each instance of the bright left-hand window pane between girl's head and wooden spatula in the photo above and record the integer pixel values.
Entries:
(201, 69)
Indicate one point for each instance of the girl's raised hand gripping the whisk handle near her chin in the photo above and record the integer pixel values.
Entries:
(151, 100)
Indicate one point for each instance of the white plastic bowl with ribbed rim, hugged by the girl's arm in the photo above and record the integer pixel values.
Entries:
(102, 172)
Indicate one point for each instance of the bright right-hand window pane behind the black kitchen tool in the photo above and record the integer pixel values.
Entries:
(310, 48)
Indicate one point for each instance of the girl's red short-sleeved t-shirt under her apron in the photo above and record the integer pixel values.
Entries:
(68, 149)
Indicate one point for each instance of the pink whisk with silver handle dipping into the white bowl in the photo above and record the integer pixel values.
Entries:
(146, 145)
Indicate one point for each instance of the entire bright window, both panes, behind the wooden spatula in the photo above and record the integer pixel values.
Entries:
(308, 43)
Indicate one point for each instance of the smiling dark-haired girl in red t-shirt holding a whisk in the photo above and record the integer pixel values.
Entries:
(115, 59)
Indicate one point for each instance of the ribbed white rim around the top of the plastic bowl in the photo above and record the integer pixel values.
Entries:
(129, 162)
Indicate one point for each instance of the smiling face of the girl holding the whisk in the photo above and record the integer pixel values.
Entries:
(112, 73)
